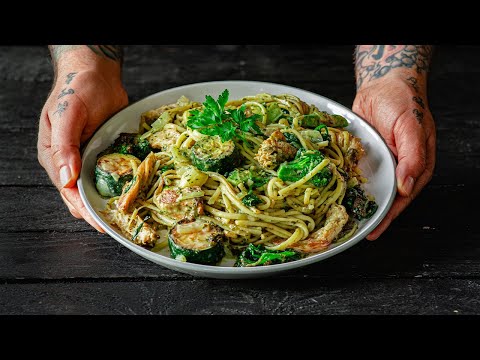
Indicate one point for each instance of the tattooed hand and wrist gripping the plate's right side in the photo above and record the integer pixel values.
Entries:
(392, 96)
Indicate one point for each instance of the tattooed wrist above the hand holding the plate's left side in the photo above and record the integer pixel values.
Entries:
(105, 59)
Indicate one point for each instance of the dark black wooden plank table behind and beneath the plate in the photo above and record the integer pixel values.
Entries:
(428, 262)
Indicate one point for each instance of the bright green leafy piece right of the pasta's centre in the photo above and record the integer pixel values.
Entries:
(304, 162)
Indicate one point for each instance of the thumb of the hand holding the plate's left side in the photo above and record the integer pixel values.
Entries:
(68, 121)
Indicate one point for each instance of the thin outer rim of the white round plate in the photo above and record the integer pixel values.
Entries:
(240, 272)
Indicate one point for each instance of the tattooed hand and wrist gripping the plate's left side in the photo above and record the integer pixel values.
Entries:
(87, 90)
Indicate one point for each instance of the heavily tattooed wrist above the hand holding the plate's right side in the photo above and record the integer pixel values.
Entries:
(408, 62)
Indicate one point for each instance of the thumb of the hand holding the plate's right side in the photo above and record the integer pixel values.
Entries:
(411, 146)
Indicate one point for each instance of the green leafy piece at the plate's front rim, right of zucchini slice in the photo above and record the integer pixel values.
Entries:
(258, 255)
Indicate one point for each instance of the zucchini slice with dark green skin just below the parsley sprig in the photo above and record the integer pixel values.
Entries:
(211, 154)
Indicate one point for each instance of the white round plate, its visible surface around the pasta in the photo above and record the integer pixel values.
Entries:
(378, 166)
